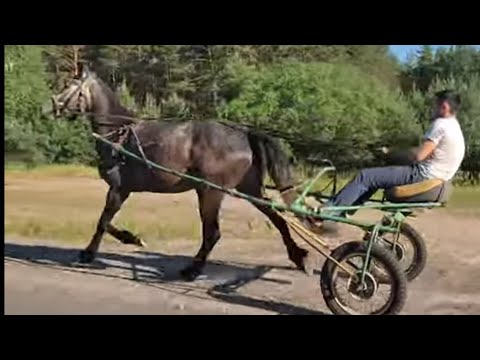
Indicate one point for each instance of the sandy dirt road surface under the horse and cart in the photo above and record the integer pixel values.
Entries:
(243, 277)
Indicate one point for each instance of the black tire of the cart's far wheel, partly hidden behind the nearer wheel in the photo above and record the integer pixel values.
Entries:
(414, 268)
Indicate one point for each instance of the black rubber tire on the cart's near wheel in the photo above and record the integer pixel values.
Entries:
(379, 255)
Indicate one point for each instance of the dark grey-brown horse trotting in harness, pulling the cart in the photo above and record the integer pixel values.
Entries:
(229, 156)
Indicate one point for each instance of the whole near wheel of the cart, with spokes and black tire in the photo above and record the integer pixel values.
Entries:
(344, 294)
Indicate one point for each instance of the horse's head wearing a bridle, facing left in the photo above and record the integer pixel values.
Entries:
(76, 97)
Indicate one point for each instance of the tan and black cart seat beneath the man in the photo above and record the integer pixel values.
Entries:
(434, 190)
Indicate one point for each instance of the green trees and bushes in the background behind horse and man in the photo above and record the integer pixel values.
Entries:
(347, 99)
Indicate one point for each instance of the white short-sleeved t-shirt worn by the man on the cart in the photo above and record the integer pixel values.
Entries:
(447, 158)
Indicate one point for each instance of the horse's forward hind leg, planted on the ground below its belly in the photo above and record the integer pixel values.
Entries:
(209, 203)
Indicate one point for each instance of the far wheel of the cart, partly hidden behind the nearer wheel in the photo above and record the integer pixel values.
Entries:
(410, 250)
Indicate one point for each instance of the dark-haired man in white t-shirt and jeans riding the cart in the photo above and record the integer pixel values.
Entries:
(439, 157)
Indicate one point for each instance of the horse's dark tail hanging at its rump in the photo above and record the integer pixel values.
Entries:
(269, 156)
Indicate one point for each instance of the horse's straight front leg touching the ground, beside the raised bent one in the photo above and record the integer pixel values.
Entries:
(115, 199)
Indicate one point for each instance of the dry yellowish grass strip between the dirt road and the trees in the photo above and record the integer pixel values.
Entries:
(65, 202)
